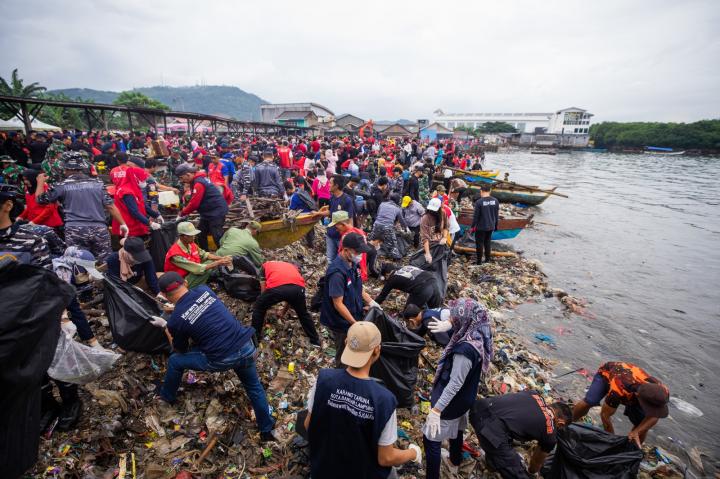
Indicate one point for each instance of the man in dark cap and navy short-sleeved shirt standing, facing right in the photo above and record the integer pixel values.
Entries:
(343, 295)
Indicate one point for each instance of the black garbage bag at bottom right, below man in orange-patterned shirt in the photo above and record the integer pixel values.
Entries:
(585, 452)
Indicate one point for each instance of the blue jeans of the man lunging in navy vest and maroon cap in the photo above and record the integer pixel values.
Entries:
(242, 362)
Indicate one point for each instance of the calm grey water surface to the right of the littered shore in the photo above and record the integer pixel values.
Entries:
(639, 239)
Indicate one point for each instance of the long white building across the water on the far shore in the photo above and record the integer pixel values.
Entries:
(566, 121)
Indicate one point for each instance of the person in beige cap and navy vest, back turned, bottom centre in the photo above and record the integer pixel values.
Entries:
(351, 420)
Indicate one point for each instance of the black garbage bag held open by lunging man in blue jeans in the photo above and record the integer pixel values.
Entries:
(129, 309)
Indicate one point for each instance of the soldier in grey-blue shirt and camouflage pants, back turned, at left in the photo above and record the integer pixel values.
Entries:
(85, 202)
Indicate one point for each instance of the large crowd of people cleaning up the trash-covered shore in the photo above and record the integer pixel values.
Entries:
(83, 205)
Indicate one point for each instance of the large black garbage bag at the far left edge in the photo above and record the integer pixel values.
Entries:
(32, 300)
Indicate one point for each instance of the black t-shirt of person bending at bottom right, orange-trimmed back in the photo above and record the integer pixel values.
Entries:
(526, 417)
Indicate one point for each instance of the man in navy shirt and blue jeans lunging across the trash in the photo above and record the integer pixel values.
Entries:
(220, 342)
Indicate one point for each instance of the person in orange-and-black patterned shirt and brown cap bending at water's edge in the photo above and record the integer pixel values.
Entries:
(645, 398)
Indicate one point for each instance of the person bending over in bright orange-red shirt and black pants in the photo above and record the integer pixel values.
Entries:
(281, 281)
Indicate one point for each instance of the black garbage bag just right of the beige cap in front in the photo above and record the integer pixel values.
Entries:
(398, 363)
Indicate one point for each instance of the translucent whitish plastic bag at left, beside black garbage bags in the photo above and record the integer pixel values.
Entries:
(79, 364)
